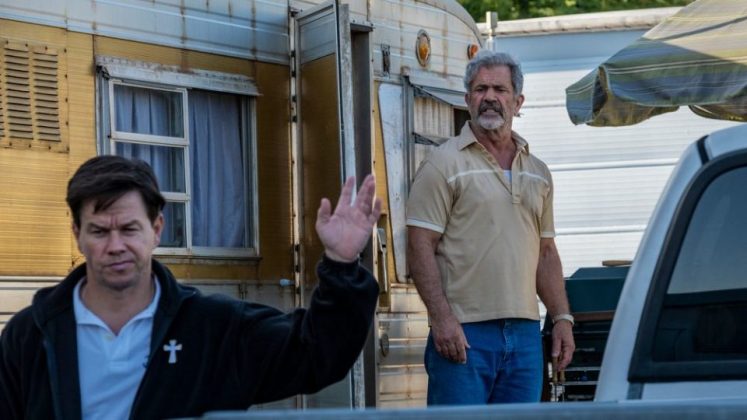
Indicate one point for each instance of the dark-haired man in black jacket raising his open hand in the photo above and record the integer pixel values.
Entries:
(119, 337)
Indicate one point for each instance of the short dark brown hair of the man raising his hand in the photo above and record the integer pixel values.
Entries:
(107, 178)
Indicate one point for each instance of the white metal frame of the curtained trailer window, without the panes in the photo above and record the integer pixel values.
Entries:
(109, 136)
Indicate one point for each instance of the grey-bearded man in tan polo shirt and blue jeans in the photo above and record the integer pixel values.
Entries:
(481, 248)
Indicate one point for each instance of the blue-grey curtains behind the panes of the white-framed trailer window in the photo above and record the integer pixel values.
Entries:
(218, 202)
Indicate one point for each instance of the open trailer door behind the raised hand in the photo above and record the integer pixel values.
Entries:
(325, 148)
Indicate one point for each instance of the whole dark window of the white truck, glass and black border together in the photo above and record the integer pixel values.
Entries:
(693, 322)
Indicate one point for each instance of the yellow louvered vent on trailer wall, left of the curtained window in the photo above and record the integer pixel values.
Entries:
(31, 93)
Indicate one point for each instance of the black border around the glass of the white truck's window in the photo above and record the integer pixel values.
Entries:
(643, 368)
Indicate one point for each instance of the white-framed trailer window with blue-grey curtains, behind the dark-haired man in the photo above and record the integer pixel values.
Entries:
(200, 144)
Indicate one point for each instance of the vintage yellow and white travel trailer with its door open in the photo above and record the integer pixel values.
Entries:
(250, 112)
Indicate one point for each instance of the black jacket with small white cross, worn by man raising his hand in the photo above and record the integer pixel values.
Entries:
(233, 353)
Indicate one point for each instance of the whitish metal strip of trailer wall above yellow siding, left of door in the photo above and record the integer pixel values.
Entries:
(256, 30)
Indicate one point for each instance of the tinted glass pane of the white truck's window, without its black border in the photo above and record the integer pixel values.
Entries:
(705, 306)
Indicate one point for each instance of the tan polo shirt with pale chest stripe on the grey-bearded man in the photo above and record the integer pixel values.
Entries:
(491, 227)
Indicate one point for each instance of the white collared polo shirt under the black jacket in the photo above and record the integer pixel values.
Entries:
(110, 367)
